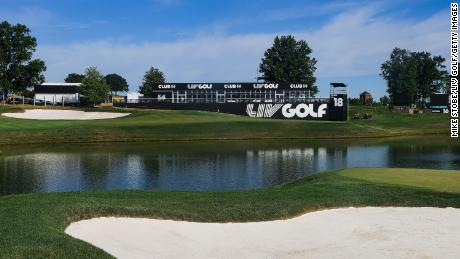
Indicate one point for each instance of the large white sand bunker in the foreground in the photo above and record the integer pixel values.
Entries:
(339, 233)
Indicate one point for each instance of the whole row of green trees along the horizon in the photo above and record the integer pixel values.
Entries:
(411, 76)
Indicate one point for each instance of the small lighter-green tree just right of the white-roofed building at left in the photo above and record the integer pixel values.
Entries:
(94, 86)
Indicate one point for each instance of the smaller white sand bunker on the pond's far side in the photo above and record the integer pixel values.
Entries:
(39, 114)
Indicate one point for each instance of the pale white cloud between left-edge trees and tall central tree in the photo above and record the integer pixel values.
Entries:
(204, 59)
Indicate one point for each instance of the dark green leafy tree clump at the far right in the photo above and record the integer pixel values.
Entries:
(413, 76)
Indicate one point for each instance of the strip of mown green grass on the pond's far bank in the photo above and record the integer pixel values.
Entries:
(160, 125)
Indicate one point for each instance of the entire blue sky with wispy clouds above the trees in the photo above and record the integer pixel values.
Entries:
(197, 41)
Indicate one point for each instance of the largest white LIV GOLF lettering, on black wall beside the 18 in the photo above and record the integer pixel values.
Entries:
(288, 110)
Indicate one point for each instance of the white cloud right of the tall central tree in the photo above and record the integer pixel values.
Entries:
(357, 43)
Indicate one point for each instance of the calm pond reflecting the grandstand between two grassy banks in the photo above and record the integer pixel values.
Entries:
(206, 166)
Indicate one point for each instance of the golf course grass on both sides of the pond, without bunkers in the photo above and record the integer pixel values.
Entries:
(33, 224)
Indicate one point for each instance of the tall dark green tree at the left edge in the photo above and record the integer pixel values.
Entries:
(17, 68)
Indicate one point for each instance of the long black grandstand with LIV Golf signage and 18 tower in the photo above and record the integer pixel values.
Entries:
(261, 100)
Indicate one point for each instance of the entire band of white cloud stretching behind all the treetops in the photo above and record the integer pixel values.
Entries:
(354, 43)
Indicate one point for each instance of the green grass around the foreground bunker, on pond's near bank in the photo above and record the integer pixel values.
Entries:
(33, 225)
